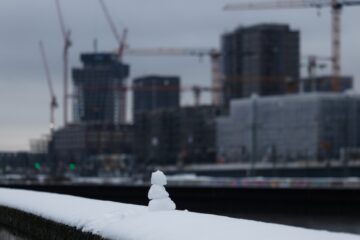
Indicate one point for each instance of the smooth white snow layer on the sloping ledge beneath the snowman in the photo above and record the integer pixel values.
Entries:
(131, 222)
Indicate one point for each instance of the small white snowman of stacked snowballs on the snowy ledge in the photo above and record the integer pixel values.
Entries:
(158, 196)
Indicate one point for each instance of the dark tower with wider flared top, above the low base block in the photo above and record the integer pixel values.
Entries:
(99, 89)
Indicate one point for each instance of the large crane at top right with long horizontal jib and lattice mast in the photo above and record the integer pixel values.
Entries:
(336, 7)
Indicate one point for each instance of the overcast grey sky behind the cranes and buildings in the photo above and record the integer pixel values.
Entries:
(24, 98)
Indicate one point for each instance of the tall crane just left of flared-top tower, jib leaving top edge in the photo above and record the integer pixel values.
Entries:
(66, 34)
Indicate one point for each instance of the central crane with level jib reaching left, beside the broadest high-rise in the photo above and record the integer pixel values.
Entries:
(214, 55)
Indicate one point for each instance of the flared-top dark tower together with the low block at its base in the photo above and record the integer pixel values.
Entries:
(99, 133)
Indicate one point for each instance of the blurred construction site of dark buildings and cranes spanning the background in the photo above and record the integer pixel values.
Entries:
(263, 112)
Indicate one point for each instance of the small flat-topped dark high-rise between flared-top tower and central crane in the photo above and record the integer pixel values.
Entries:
(156, 92)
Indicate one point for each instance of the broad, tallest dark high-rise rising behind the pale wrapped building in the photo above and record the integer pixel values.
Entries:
(262, 59)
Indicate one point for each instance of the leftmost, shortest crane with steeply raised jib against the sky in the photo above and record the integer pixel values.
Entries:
(53, 101)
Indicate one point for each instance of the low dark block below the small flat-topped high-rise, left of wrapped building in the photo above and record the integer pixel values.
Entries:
(176, 136)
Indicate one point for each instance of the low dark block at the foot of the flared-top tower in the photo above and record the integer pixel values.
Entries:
(91, 146)
